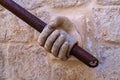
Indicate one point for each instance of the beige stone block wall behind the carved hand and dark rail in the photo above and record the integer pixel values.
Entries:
(21, 57)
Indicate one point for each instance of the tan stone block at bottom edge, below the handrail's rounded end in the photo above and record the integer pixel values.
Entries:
(72, 70)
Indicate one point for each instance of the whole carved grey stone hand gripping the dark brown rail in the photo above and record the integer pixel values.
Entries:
(58, 37)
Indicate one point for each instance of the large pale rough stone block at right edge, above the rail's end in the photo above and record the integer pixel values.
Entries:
(107, 24)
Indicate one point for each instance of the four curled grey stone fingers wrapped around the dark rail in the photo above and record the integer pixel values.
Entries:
(58, 42)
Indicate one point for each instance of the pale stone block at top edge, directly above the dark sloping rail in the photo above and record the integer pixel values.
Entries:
(31, 4)
